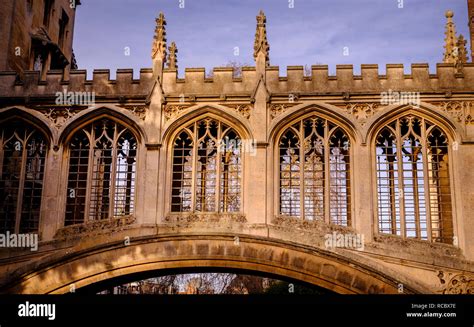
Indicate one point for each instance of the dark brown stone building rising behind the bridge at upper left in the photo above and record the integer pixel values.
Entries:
(37, 35)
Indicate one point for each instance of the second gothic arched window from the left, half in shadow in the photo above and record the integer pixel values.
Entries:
(102, 170)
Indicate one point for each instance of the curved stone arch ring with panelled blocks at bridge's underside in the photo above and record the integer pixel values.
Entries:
(60, 273)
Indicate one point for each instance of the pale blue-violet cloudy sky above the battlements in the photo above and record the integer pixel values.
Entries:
(208, 32)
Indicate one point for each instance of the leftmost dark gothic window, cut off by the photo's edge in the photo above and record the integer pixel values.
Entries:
(22, 159)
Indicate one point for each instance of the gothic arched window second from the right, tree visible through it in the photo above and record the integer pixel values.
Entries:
(314, 160)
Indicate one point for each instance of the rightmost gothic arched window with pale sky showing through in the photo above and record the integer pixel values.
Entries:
(413, 184)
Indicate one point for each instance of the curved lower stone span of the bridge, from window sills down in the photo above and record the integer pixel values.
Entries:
(283, 249)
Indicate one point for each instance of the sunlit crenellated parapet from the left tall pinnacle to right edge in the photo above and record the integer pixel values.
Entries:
(223, 82)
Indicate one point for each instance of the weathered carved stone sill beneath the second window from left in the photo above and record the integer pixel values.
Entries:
(95, 227)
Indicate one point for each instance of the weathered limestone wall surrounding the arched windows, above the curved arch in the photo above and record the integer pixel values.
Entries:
(259, 104)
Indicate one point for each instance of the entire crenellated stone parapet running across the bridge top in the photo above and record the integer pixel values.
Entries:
(223, 81)
